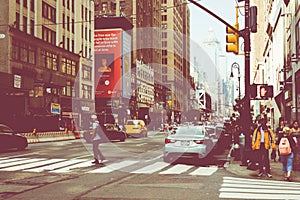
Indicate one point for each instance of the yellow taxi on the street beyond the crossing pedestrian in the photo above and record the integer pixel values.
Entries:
(136, 128)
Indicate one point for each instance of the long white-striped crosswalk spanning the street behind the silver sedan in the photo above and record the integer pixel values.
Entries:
(57, 165)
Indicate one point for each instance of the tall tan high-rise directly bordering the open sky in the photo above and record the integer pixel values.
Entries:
(175, 67)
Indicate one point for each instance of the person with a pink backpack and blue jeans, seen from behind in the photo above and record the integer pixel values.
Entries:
(286, 149)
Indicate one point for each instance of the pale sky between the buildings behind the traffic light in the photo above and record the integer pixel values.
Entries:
(201, 22)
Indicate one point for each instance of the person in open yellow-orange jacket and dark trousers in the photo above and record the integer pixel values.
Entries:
(263, 139)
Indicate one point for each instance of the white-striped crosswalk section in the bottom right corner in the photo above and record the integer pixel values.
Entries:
(242, 188)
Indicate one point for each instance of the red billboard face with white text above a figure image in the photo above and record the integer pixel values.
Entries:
(108, 63)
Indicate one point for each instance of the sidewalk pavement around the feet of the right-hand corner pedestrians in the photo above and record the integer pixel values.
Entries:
(234, 166)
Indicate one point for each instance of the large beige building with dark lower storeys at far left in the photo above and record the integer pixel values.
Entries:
(45, 46)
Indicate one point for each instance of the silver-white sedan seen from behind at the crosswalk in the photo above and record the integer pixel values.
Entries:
(192, 142)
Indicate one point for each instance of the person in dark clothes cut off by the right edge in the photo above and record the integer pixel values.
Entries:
(295, 129)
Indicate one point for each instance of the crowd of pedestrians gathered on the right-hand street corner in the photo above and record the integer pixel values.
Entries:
(267, 144)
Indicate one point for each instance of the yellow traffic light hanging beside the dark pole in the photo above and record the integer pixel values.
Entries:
(232, 39)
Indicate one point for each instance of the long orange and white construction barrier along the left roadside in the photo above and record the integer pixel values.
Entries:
(51, 136)
